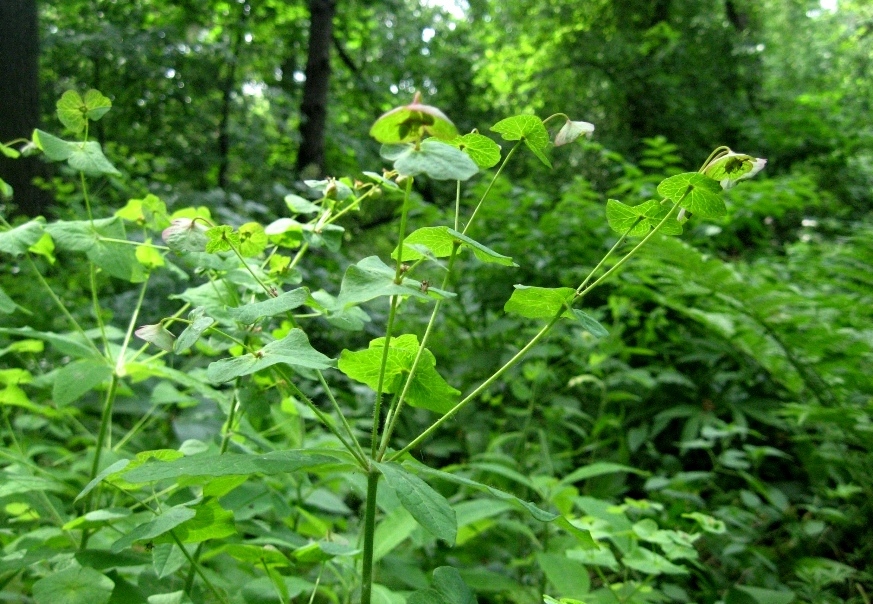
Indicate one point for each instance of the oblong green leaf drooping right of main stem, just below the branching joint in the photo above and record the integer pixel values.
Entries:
(430, 509)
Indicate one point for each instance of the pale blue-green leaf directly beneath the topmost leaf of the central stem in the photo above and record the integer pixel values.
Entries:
(439, 160)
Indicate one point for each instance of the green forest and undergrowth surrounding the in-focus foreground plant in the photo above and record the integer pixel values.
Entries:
(717, 442)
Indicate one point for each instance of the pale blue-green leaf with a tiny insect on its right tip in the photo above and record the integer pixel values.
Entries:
(371, 278)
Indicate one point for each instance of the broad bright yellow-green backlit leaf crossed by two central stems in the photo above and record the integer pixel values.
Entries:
(428, 389)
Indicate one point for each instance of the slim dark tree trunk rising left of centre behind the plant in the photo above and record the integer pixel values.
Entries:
(313, 109)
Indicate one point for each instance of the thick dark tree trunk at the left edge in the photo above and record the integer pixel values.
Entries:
(19, 100)
